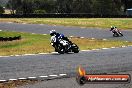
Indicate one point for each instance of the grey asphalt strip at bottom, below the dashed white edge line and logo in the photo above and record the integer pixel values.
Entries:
(71, 83)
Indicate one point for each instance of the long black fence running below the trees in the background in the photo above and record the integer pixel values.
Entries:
(66, 15)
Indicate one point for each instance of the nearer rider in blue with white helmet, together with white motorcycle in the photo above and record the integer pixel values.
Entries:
(62, 44)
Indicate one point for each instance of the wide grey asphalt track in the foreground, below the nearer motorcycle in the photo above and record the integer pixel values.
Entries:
(102, 61)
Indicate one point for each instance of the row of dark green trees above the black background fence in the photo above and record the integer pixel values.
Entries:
(101, 7)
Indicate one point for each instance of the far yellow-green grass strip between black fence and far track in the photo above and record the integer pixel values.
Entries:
(122, 23)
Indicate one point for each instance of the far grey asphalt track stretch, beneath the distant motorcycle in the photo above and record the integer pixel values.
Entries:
(68, 31)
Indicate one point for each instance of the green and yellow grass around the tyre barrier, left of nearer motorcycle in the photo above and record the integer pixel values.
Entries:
(30, 43)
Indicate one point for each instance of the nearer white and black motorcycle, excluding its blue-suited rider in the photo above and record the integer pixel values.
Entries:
(64, 46)
